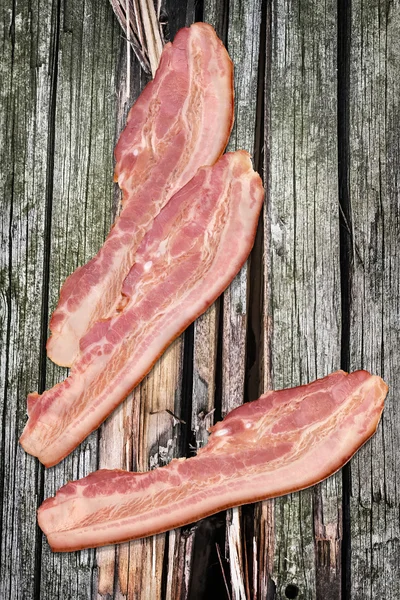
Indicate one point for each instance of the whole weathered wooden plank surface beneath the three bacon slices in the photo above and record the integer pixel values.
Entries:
(317, 104)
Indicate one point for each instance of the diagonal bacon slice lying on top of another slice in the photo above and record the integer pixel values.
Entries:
(198, 243)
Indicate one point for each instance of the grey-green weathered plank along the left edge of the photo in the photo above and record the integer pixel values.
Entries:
(26, 74)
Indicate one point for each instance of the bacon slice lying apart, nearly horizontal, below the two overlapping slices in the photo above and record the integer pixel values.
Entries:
(283, 442)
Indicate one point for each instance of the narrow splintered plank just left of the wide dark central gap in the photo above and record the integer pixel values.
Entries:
(242, 40)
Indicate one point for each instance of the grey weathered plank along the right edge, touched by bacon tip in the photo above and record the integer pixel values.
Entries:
(375, 289)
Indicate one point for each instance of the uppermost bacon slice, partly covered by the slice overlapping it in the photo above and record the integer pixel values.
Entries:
(181, 121)
